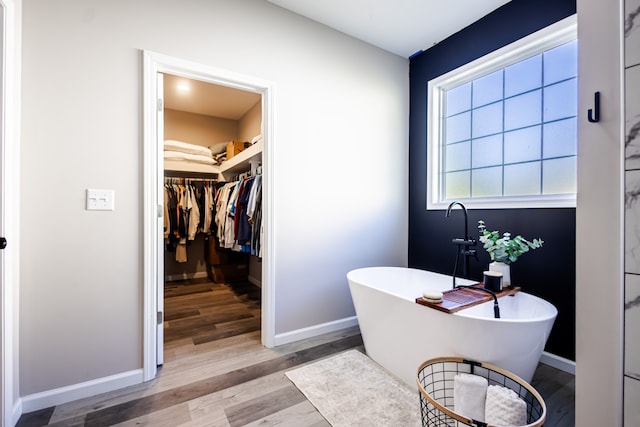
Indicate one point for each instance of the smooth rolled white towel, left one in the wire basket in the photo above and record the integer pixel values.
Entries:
(469, 395)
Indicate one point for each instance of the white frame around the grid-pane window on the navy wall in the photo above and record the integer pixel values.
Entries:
(552, 36)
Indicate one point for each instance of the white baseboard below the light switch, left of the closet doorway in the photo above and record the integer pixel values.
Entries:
(58, 396)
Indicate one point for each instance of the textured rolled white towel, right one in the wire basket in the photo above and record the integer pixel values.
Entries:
(504, 407)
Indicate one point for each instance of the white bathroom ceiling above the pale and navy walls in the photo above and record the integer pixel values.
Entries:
(403, 27)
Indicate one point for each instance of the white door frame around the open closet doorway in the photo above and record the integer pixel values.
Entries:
(154, 63)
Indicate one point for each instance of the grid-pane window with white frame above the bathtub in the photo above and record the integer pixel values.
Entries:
(506, 131)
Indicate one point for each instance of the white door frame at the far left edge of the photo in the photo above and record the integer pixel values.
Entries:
(10, 409)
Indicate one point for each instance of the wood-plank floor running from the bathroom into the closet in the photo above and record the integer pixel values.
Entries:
(217, 373)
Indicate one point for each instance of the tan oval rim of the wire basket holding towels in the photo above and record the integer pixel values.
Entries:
(486, 365)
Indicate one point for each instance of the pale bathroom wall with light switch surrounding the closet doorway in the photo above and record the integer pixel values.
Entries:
(340, 158)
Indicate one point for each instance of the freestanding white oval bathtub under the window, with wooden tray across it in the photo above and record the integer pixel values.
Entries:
(400, 334)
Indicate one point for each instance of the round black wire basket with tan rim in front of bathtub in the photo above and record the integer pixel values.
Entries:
(435, 383)
